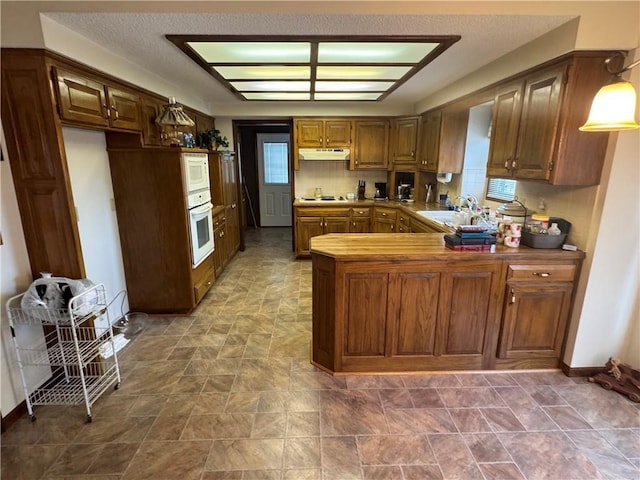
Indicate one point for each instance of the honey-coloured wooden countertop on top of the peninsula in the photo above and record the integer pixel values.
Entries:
(415, 246)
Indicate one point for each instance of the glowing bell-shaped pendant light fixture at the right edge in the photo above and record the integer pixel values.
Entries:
(613, 107)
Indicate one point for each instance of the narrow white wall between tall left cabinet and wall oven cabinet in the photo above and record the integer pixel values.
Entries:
(88, 164)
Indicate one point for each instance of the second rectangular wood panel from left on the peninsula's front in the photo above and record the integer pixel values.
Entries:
(416, 313)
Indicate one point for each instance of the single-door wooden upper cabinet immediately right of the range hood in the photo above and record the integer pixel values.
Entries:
(371, 145)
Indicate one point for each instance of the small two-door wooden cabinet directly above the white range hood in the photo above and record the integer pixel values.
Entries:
(319, 133)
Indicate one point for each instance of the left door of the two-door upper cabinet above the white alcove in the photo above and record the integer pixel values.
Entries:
(81, 99)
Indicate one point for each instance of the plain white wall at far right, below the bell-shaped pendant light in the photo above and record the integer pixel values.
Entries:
(609, 316)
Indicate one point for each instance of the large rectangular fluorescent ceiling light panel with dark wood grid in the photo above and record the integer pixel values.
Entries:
(312, 68)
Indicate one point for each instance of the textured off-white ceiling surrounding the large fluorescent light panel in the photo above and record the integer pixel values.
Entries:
(140, 38)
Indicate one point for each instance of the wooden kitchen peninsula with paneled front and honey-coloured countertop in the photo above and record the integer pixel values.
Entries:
(404, 302)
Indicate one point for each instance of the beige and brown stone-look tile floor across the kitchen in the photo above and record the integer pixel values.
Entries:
(228, 393)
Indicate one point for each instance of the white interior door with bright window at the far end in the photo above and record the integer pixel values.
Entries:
(275, 183)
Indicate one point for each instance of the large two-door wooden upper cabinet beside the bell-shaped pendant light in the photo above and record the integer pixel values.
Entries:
(535, 124)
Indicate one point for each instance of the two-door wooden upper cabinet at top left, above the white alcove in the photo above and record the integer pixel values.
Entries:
(89, 102)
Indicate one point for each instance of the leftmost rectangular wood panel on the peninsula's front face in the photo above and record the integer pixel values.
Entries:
(366, 315)
